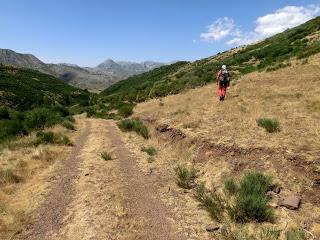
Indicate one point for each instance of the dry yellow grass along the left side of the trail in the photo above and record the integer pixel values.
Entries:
(24, 173)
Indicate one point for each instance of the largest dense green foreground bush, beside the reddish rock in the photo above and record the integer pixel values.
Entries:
(251, 201)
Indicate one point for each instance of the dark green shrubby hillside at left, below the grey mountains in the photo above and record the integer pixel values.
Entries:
(23, 89)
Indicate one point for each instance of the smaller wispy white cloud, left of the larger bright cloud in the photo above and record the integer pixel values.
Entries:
(221, 28)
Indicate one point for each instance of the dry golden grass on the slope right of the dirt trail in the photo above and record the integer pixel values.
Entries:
(290, 95)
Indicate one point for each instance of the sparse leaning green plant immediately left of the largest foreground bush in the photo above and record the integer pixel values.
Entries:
(211, 201)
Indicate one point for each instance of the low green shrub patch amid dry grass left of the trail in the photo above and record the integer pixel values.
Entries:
(48, 137)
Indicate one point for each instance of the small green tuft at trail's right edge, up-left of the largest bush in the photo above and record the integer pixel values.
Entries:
(185, 176)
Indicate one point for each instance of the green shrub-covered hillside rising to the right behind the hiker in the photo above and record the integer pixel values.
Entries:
(268, 55)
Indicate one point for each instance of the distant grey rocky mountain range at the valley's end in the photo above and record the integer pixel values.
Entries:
(94, 79)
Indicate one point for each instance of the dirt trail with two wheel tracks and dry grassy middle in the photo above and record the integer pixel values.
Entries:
(97, 199)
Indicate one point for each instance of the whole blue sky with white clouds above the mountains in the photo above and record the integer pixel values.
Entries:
(87, 32)
